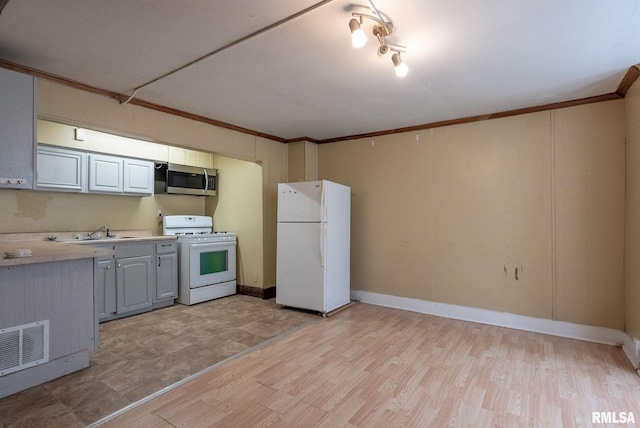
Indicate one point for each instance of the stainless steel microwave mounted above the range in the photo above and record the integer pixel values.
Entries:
(185, 180)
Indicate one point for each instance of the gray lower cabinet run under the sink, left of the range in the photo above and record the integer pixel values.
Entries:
(138, 278)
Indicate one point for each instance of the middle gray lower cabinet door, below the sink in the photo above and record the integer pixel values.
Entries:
(134, 278)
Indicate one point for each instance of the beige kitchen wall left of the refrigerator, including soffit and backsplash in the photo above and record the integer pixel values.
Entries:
(24, 211)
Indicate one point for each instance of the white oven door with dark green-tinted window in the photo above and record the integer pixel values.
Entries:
(211, 263)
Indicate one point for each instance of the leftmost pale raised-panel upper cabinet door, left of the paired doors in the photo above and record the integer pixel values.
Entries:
(61, 169)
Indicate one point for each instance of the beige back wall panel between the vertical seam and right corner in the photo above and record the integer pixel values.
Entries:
(589, 178)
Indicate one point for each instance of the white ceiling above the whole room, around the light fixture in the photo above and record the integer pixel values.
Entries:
(303, 78)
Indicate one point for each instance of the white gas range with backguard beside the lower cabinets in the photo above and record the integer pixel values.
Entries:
(207, 259)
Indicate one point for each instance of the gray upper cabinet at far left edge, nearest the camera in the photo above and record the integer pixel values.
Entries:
(17, 129)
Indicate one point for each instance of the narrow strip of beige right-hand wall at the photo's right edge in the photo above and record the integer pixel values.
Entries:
(632, 248)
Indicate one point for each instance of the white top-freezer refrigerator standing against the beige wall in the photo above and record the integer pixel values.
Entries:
(314, 245)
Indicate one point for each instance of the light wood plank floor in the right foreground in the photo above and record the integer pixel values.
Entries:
(372, 366)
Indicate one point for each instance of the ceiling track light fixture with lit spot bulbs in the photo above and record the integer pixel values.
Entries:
(381, 30)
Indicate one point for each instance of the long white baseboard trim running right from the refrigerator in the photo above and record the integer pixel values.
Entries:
(602, 335)
